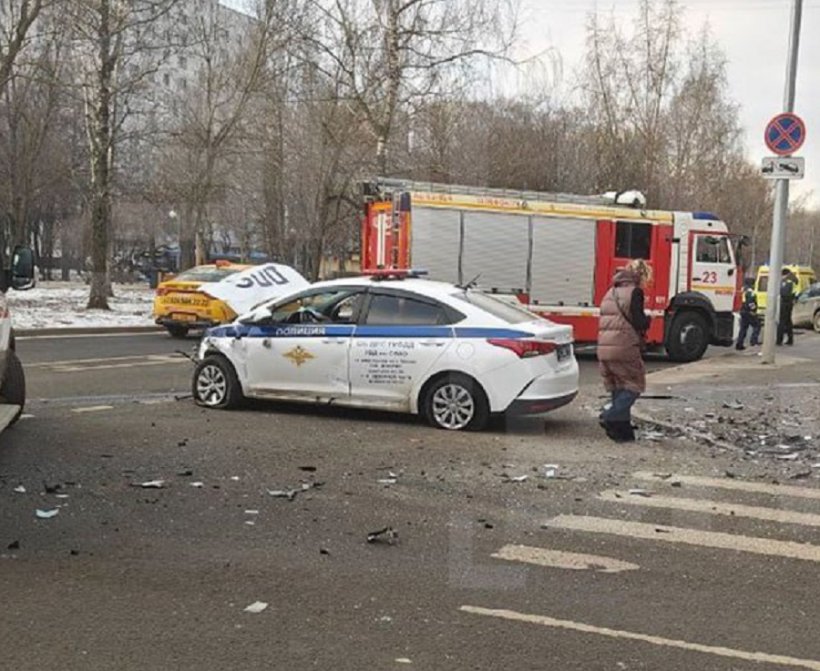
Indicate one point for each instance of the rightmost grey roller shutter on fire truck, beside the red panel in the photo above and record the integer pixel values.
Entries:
(563, 261)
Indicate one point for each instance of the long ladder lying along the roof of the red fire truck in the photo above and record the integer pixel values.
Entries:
(381, 186)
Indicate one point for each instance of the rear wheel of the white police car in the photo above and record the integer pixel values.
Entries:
(455, 402)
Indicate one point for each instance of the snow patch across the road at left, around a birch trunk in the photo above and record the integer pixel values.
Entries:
(62, 305)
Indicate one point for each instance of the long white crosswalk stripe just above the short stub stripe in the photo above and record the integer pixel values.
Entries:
(711, 539)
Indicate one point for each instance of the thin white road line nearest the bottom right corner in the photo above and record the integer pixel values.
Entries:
(545, 621)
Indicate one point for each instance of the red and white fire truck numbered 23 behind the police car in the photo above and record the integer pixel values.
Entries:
(558, 253)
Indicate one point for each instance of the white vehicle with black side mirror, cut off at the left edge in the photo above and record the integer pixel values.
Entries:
(12, 379)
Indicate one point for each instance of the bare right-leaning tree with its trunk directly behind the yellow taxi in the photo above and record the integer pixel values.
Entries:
(214, 111)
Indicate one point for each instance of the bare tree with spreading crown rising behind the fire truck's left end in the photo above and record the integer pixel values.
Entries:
(395, 53)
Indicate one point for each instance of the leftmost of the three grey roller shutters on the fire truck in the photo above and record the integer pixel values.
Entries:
(436, 242)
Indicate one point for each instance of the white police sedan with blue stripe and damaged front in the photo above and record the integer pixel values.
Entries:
(452, 354)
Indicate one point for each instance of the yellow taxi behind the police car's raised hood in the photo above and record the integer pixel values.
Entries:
(179, 306)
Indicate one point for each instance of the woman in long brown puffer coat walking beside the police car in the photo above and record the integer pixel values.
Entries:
(621, 331)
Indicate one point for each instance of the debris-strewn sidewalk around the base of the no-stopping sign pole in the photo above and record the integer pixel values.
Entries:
(766, 413)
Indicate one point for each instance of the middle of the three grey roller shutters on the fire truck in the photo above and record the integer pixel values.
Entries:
(498, 247)
